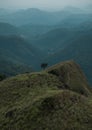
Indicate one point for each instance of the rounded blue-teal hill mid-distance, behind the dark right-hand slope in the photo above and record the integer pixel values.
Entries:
(55, 39)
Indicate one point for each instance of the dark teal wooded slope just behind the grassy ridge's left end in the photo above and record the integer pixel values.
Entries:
(11, 68)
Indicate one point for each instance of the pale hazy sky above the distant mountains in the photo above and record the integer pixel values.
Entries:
(43, 4)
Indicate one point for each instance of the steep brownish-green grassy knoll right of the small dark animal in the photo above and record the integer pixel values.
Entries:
(71, 75)
